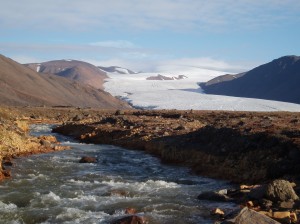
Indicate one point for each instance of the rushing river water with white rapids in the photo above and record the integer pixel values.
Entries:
(55, 188)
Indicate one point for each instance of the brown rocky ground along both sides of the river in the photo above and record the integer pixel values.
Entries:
(243, 147)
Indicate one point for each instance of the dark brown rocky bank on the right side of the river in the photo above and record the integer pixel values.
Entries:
(243, 147)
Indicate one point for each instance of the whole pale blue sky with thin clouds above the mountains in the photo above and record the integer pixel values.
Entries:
(151, 35)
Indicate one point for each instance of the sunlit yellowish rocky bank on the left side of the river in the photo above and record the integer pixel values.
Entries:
(15, 139)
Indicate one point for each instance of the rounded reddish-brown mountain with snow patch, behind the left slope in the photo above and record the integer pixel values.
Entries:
(75, 70)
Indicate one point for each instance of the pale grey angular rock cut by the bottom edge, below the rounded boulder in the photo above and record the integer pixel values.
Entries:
(248, 216)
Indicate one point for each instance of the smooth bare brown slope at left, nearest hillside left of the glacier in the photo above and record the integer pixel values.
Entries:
(21, 86)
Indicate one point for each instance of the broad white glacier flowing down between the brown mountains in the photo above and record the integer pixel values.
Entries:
(183, 93)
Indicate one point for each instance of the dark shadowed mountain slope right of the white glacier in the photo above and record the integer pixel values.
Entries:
(277, 80)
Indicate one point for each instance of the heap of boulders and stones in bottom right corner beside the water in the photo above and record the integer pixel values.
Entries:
(256, 200)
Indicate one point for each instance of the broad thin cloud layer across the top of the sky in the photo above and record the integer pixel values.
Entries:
(134, 15)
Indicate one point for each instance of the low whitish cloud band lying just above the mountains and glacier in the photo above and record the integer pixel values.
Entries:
(137, 59)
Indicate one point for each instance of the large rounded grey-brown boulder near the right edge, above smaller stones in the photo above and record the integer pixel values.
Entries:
(280, 190)
